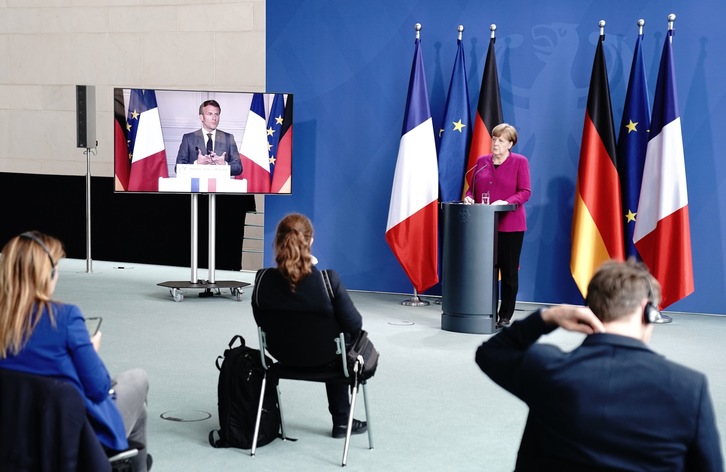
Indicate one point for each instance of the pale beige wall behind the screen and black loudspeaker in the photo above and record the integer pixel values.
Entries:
(49, 46)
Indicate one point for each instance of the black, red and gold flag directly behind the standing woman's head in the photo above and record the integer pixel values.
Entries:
(488, 114)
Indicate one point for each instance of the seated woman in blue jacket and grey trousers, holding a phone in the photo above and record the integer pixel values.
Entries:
(41, 336)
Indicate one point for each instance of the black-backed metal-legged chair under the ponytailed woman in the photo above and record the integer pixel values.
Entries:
(309, 347)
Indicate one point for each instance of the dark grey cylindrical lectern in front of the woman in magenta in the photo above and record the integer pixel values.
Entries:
(469, 277)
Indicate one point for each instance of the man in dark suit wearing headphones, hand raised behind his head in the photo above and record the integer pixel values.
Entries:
(611, 403)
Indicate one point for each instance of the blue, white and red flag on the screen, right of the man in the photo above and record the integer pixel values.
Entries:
(253, 151)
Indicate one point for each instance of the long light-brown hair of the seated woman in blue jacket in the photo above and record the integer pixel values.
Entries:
(27, 269)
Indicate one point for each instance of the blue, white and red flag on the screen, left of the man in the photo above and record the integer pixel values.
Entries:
(146, 142)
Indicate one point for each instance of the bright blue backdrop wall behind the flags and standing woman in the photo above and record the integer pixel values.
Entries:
(348, 64)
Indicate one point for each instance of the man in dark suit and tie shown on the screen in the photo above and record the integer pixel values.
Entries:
(209, 145)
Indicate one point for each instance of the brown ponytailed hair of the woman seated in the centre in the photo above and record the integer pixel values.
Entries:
(292, 248)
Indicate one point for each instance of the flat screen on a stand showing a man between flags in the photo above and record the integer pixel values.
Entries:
(190, 141)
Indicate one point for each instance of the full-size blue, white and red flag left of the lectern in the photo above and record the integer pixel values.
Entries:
(412, 226)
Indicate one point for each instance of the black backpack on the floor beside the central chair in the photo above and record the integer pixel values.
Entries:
(238, 393)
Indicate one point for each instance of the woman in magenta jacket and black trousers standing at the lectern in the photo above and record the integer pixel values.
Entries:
(502, 178)
